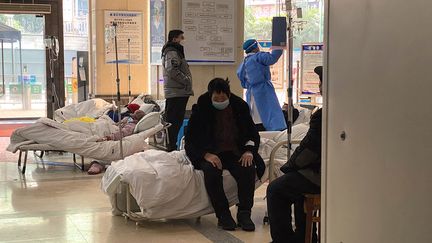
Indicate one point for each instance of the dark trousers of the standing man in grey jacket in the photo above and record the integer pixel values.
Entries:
(175, 109)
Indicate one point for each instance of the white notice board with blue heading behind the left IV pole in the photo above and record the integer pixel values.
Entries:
(129, 27)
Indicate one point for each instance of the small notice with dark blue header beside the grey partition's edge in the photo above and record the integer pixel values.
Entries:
(312, 56)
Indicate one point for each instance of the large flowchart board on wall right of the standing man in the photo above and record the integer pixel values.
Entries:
(209, 27)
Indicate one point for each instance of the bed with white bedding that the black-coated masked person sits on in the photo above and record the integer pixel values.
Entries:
(138, 192)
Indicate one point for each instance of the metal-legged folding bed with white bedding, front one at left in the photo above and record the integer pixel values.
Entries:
(48, 135)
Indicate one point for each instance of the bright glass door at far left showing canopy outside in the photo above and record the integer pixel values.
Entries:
(22, 66)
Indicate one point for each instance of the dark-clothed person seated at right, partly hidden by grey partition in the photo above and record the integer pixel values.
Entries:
(302, 175)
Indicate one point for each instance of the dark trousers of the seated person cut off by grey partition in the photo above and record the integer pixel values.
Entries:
(281, 194)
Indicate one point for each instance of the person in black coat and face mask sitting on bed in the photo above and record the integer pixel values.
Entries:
(221, 135)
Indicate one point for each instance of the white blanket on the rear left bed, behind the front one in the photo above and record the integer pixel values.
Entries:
(94, 108)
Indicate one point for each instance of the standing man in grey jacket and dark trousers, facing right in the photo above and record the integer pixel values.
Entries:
(178, 84)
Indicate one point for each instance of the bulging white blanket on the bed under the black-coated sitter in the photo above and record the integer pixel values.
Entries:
(166, 186)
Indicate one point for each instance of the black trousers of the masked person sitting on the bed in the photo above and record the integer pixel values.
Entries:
(244, 176)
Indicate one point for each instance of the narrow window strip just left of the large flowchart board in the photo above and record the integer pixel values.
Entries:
(157, 30)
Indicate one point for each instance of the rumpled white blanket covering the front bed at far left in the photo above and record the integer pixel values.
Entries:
(58, 135)
